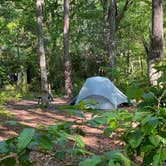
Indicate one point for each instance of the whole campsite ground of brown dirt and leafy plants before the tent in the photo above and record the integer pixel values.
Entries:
(67, 135)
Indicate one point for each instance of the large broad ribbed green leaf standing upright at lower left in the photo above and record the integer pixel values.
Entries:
(25, 138)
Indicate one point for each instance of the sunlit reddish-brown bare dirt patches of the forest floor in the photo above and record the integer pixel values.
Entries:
(28, 113)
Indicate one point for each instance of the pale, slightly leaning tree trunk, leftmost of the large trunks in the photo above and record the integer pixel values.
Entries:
(41, 51)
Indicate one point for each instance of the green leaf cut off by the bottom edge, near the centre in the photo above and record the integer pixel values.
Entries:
(91, 161)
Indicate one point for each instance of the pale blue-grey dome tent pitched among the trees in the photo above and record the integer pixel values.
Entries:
(100, 93)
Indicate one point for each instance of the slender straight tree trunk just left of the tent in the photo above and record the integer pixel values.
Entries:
(67, 66)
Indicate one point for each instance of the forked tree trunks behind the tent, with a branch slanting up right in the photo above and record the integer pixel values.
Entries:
(114, 16)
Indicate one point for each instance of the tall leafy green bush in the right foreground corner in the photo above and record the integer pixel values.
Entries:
(146, 135)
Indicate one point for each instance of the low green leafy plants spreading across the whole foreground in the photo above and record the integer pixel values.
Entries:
(143, 132)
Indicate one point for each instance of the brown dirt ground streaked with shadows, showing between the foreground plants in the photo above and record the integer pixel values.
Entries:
(25, 113)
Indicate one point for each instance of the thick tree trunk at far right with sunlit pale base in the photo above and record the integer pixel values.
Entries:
(156, 45)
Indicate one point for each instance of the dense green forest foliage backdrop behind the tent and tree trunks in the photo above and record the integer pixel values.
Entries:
(89, 39)
